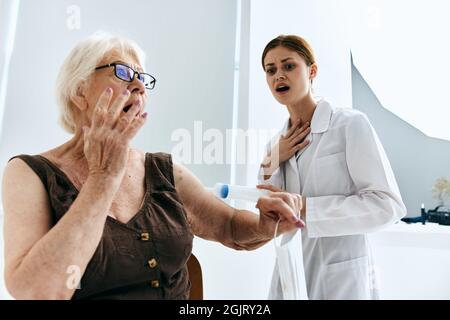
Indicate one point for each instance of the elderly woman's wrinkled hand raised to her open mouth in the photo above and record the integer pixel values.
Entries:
(106, 142)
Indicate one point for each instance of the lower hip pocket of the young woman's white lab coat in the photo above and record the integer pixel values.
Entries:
(348, 280)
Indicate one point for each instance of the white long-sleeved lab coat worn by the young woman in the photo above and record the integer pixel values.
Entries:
(350, 190)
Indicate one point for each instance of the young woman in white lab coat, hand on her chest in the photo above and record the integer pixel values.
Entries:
(331, 157)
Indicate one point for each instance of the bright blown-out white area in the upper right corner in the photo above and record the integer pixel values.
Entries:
(401, 49)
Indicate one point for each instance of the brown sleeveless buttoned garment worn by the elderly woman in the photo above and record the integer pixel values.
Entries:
(142, 259)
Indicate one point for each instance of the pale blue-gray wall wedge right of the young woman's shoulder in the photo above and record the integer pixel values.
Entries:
(416, 159)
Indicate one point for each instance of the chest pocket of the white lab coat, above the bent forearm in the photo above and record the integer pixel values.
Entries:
(331, 175)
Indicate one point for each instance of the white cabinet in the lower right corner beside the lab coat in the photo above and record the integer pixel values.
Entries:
(413, 261)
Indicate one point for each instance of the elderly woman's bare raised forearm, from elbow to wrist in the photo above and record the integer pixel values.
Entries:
(43, 272)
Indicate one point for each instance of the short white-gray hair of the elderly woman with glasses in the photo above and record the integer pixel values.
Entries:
(79, 66)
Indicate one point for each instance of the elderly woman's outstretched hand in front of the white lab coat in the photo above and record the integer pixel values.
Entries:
(279, 205)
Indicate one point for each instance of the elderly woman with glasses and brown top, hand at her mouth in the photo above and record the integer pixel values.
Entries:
(98, 210)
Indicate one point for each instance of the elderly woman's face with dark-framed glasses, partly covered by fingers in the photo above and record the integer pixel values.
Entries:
(106, 77)
